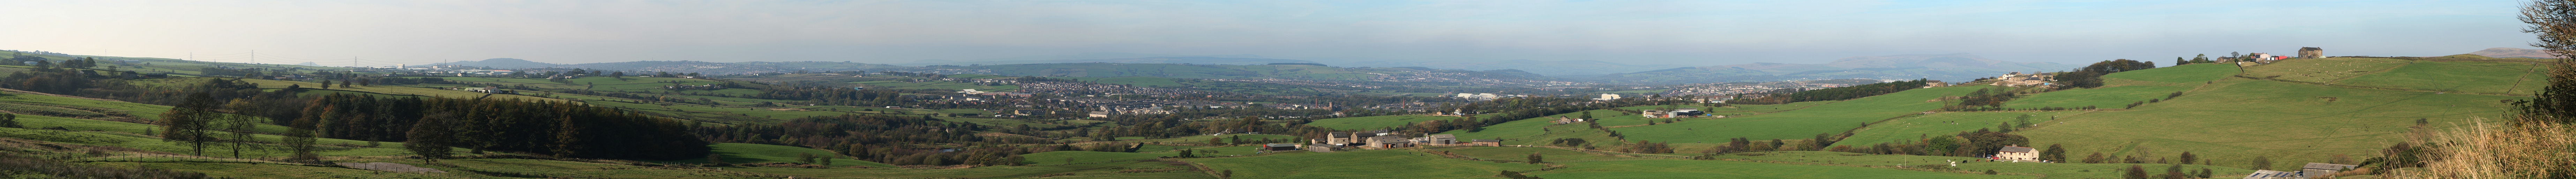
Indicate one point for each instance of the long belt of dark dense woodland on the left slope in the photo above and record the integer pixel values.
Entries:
(547, 128)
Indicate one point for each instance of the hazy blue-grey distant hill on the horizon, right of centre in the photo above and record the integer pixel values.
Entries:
(1887, 69)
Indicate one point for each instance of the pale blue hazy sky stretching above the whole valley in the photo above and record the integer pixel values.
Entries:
(1637, 32)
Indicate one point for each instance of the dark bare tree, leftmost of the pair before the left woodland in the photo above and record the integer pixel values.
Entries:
(189, 123)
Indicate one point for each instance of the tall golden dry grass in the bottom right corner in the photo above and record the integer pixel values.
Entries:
(2521, 152)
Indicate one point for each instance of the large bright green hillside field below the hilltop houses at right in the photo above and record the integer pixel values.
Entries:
(2289, 123)
